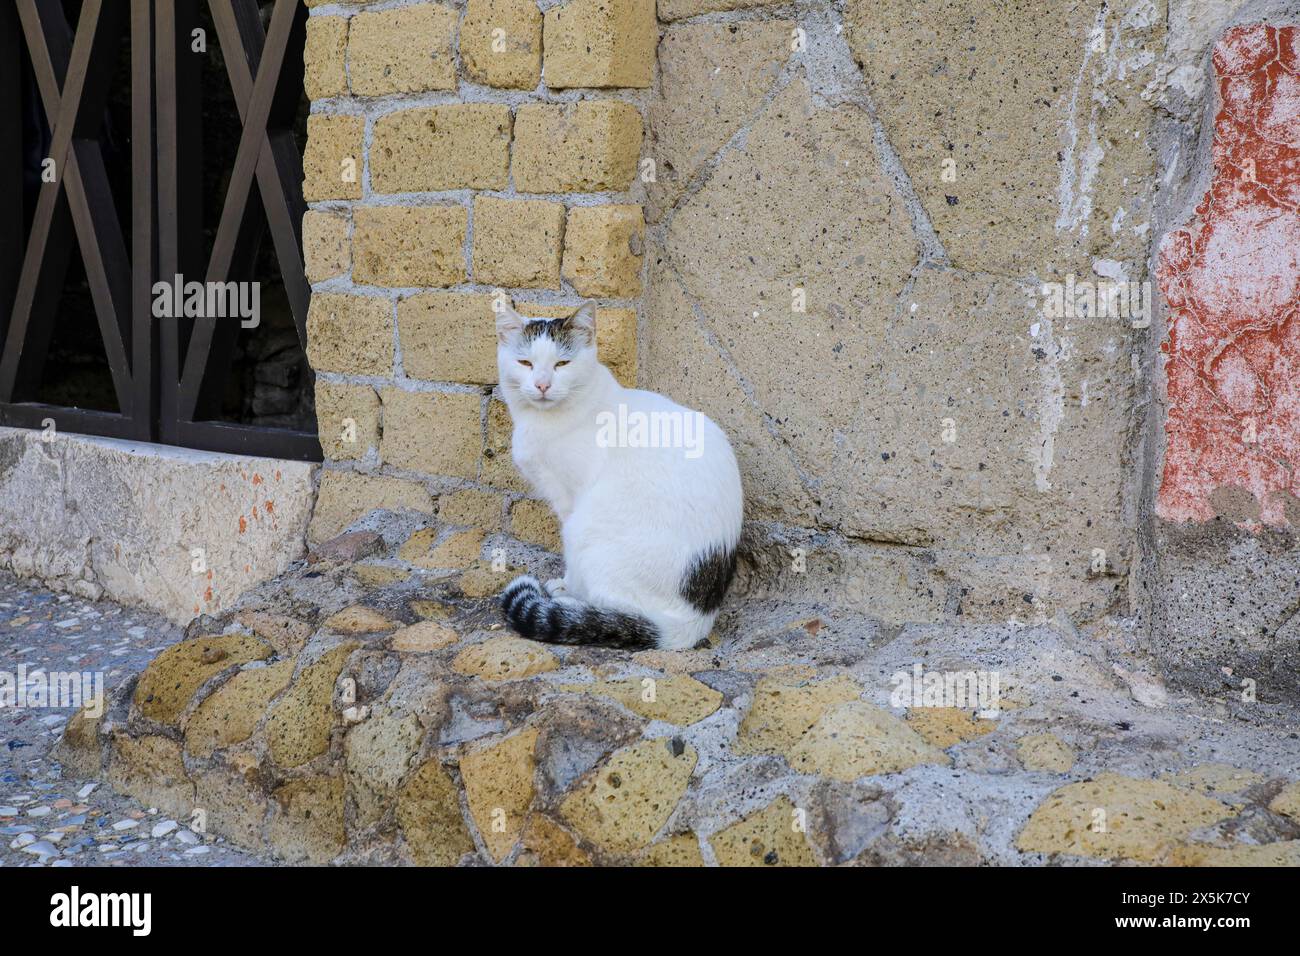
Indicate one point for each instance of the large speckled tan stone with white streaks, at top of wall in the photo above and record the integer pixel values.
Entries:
(1045, 152)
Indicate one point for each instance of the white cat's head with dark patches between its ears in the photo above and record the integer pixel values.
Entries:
(545, 362)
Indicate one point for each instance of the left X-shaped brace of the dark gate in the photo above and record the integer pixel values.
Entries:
(73, 80)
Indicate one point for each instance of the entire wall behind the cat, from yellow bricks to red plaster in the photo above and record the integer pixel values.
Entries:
(846, 231)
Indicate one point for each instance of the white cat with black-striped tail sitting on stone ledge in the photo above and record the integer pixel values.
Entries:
(648, 495)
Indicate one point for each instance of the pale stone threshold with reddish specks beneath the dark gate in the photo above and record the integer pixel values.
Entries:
(183, 533)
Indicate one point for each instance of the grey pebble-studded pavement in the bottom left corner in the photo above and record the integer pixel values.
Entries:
(47, 820)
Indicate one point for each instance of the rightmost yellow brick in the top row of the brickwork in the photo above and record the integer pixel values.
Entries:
(601, 44)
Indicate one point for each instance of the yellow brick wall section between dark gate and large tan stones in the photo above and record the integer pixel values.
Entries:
(460, 153)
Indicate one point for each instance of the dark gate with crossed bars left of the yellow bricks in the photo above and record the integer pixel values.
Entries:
(168, 374)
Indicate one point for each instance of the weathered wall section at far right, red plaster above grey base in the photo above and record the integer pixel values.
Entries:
(1223, 582)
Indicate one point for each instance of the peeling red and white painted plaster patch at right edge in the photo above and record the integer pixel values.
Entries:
(1232, 287)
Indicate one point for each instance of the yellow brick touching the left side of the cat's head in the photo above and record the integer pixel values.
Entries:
(449, 338)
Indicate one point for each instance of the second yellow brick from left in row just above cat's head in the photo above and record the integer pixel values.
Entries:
(409, 245)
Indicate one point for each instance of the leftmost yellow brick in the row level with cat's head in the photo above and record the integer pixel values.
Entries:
(350, 334)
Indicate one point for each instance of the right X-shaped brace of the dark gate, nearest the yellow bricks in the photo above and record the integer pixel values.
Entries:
(267, 89)
